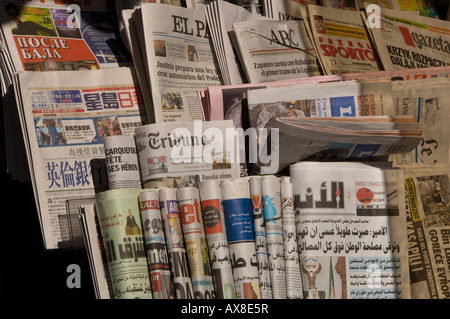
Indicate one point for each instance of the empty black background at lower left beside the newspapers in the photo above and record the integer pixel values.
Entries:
(27, 269)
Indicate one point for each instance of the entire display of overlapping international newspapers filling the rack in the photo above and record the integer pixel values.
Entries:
(241, 149)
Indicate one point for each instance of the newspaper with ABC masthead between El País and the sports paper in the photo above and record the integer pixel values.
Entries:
(275, 50)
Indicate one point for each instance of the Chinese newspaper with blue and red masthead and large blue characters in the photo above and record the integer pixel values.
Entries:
(64, 117)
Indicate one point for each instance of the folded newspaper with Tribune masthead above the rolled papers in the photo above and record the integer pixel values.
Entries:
(174, 154)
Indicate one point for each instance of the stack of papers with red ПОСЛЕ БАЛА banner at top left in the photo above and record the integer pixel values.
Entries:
(52, 36)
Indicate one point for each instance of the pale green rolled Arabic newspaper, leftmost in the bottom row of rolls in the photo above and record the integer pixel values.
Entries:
(122, 233)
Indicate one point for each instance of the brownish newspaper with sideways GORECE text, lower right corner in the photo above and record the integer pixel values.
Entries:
(428, 229)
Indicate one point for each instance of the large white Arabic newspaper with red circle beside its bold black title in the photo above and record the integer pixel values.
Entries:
(351, 230)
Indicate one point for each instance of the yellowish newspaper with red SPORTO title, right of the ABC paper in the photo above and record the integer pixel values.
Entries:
(342, 42)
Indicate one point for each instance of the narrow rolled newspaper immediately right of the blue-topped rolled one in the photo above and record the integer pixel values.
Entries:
(260, 237)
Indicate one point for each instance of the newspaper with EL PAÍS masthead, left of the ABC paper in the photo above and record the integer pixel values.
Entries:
(180, 60)
